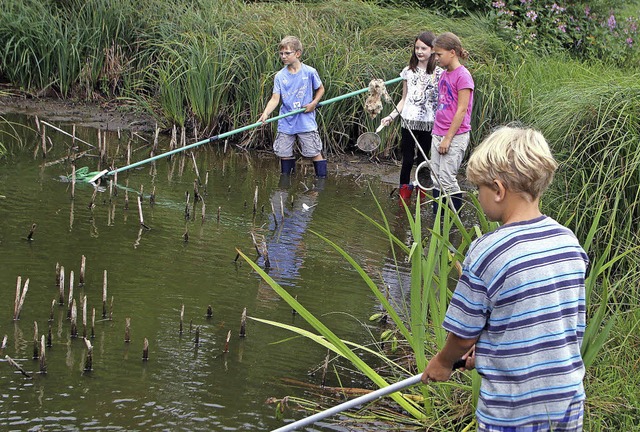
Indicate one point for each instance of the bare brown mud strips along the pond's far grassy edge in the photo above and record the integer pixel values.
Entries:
(108, 116)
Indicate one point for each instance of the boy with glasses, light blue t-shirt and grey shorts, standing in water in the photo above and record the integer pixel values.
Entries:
(297, 85)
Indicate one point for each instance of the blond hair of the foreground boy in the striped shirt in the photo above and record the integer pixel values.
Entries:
(519, 157)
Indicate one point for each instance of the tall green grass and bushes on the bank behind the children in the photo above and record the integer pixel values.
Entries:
(209, 65)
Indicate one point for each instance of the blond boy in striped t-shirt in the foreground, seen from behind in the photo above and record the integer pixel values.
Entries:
(518, 312)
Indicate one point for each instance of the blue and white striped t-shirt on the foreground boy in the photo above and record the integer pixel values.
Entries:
(522, 295)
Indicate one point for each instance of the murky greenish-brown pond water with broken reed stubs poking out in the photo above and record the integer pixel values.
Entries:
(152, 273)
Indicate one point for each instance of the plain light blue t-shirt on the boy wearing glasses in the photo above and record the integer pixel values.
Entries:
(296, 91)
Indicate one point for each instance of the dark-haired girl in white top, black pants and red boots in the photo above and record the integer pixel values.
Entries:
(417, 108)
